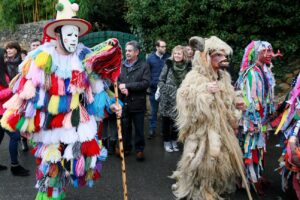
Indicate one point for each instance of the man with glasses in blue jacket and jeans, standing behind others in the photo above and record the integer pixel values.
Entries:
(156, 61)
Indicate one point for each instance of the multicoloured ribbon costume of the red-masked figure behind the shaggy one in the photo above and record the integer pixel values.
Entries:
(257, 84)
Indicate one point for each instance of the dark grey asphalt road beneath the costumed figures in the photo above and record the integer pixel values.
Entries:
(147, 180)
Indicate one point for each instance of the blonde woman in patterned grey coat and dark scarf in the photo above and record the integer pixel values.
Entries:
(174, 71)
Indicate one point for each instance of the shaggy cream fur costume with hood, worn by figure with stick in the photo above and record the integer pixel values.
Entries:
(207, 167)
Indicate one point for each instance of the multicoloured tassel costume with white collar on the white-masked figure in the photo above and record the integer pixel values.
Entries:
(56, 102)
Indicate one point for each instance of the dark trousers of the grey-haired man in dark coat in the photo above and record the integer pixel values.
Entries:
(137, 119)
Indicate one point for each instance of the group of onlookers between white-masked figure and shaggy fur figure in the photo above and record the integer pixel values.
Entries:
(159, 76)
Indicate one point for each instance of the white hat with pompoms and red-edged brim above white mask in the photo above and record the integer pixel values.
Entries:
(66, 15)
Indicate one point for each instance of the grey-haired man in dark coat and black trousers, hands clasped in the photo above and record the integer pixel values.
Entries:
(133, 83)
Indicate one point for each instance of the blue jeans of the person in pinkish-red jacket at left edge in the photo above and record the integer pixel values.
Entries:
(13, 146)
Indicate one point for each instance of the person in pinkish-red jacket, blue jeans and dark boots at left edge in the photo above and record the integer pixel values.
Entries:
(5, 94)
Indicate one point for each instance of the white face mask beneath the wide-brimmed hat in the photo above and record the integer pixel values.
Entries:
(69, 36)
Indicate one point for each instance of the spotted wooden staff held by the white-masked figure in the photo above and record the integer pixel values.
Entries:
(119, 127)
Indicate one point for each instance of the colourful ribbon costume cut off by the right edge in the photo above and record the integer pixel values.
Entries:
(290, 126)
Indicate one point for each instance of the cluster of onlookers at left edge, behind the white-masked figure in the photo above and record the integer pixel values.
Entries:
(10, 58)
